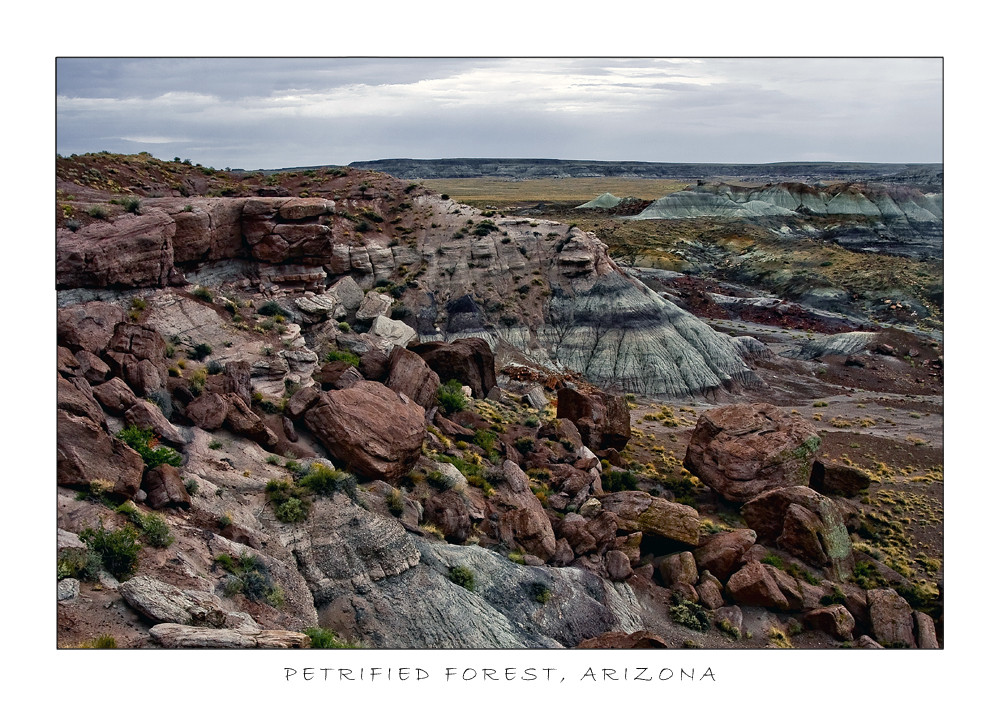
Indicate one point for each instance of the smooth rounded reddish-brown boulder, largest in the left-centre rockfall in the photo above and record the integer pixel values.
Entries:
(377, 432)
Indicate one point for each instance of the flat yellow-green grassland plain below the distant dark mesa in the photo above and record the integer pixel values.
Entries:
(497, 193)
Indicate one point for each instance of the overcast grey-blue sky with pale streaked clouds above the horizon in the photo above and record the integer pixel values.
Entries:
(269, 113)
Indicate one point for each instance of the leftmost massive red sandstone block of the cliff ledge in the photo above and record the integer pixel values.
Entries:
(132, 251)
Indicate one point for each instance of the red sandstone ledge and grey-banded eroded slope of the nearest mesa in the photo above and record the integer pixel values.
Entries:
(549, 290)
